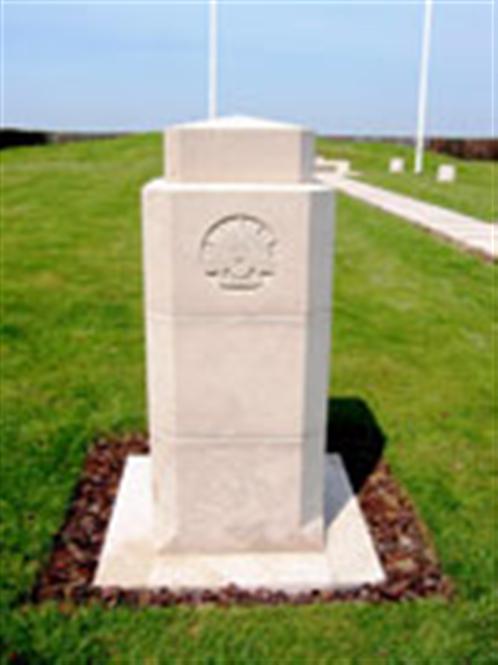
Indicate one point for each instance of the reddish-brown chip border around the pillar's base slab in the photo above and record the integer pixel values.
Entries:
(401, 540)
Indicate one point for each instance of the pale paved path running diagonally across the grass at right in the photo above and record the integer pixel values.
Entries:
(467, 232)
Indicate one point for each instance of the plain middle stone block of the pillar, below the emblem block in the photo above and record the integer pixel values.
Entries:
(235, 376)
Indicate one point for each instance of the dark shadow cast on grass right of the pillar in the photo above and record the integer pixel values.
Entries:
(354, 433)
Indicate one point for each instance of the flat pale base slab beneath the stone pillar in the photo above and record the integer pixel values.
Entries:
(130, 560)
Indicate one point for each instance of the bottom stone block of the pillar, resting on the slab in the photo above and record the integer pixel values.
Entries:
(225, 491)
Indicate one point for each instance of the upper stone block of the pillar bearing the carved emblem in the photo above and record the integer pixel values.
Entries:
(237, 249)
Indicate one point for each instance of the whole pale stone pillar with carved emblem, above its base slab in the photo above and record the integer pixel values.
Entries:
(238, 246)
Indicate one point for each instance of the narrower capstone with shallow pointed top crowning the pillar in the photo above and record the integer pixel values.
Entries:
(239, 149)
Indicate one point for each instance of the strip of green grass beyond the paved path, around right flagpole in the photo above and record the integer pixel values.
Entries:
(473, 193)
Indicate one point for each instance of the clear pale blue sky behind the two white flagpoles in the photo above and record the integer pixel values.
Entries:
(340, 67)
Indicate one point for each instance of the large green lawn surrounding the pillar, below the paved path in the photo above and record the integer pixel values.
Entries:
(412, 337)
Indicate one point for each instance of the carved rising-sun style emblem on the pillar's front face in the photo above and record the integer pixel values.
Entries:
(238, 252)
